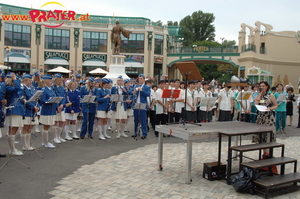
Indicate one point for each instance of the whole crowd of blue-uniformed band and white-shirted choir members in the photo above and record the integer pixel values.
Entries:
(86, 105)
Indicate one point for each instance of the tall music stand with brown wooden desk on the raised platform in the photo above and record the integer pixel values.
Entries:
(189, 71)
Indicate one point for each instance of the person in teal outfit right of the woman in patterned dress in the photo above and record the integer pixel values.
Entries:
(280, 112)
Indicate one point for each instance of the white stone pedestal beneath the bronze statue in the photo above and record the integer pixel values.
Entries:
(116, 68)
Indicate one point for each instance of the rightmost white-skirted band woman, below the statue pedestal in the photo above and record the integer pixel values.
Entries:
(120, 108)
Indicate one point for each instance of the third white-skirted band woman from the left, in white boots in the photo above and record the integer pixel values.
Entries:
(48, 111)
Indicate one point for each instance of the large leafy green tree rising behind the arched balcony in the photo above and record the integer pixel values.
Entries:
(198, 27)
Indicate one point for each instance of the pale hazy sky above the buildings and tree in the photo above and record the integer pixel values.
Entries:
(229, 14)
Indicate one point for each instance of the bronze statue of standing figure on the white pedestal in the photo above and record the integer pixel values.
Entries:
(116, 37)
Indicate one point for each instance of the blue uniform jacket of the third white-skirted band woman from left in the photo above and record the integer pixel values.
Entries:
(47, 108)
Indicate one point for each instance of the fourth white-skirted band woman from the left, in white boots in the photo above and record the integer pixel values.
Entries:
(60, 113)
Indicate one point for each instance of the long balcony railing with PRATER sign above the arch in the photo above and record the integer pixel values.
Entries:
(202, 49)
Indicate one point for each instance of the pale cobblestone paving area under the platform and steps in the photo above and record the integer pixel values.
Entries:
(134, 174)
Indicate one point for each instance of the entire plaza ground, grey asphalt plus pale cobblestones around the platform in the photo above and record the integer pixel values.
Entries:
(124, 168)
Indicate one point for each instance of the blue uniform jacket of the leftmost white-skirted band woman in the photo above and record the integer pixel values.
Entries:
(13, 93)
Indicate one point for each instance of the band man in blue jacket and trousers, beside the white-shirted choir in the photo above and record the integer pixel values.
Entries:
(141, 91)
